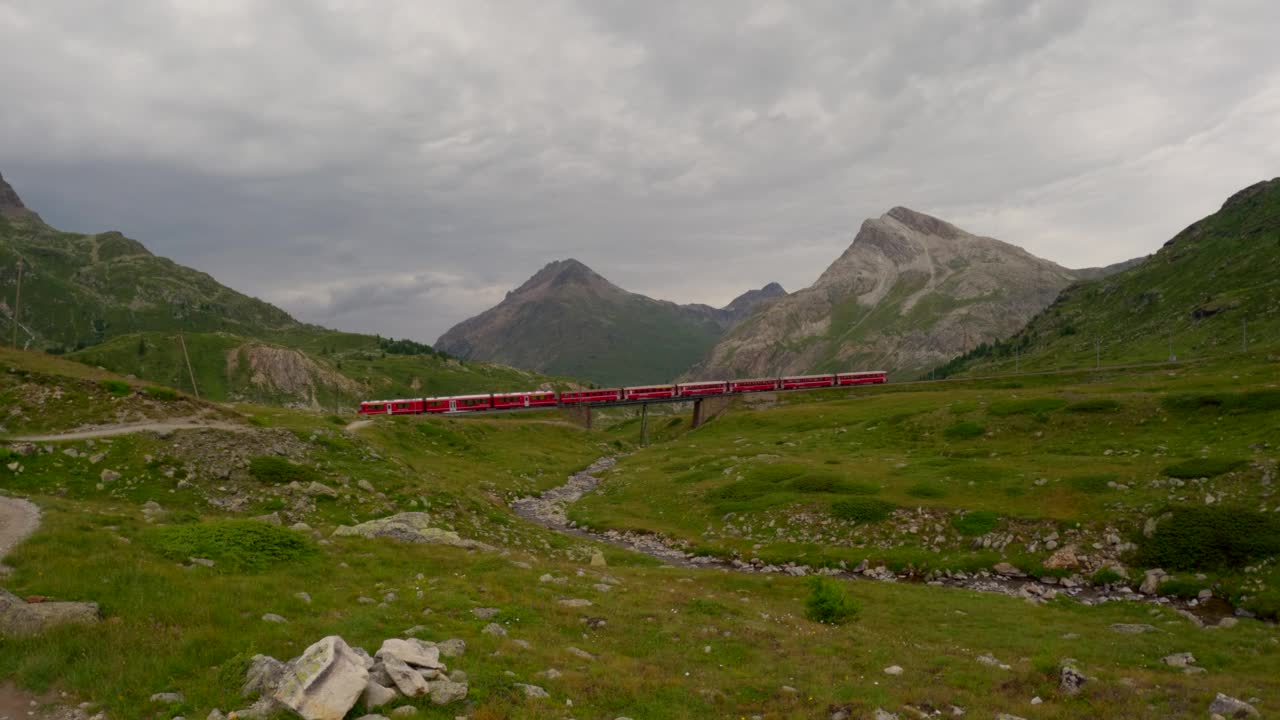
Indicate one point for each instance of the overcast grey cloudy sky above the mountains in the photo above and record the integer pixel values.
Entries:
(396, 167)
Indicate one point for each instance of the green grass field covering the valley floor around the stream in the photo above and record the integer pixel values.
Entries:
(675, 642)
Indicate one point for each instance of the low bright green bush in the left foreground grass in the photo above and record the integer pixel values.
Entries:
(236, 546)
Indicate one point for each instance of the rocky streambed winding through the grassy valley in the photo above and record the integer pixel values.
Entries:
(551, 511)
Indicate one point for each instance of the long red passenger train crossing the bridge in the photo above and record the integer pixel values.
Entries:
(676, 391)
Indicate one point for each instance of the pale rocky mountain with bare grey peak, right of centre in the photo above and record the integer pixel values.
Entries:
(911, 293)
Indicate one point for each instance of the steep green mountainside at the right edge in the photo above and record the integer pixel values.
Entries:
(1191, 299)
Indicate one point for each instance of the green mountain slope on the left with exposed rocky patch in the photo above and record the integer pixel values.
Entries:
(107, 300)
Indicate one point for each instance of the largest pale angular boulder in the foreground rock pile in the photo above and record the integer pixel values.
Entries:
(326, 682)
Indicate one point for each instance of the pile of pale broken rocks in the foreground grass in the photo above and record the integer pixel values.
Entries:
(331, 677)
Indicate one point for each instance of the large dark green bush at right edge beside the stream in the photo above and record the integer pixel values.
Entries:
(1210, 539)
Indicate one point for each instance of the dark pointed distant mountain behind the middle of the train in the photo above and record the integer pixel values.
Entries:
(569, 321)
